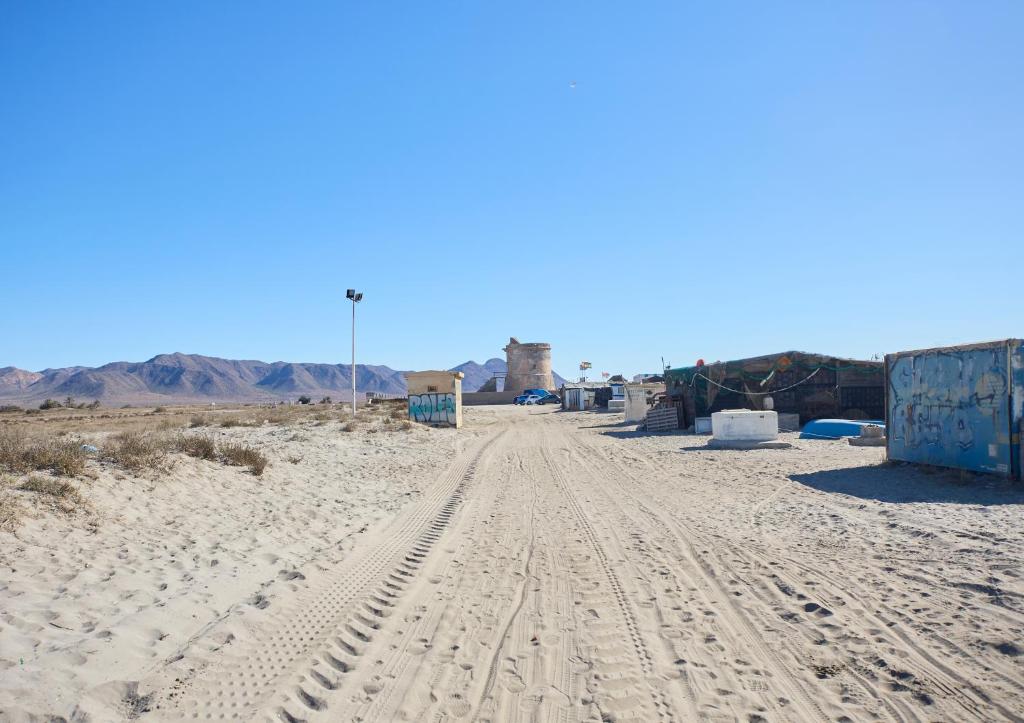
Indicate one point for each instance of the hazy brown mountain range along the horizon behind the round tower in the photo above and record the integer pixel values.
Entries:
(182, 378)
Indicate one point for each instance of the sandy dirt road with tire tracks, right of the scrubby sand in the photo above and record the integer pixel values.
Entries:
(564, 569)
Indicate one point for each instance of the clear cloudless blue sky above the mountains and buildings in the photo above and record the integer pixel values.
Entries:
(726, 180)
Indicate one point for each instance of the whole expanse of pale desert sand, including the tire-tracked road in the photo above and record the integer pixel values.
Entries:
(535, 566)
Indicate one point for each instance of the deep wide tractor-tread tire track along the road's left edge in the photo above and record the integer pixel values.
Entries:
(289, 672)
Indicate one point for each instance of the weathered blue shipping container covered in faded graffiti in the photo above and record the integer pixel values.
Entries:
(960, 407)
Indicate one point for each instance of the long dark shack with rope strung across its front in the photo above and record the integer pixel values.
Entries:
(809, 386)
